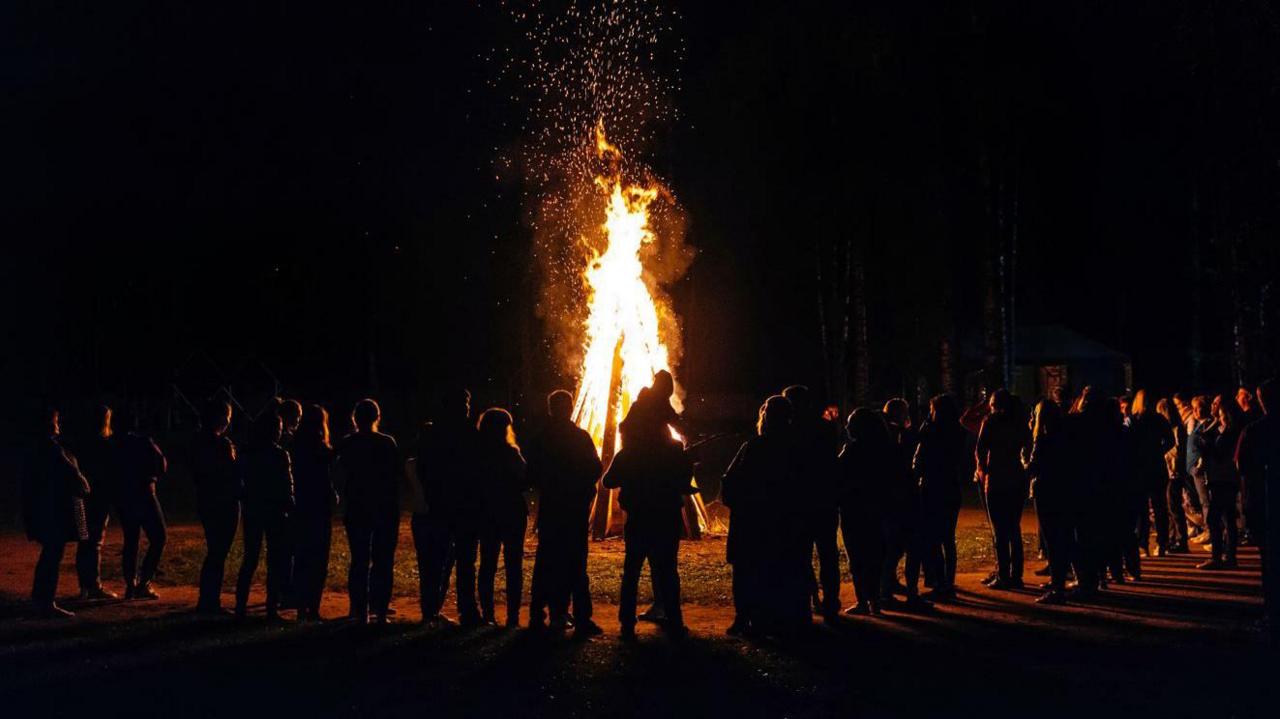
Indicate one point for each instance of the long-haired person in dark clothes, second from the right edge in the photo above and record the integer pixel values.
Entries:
(1223, 479)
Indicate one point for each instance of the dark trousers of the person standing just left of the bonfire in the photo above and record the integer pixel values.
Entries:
(560, 565)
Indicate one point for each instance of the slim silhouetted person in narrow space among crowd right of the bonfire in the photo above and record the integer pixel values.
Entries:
(903, 502)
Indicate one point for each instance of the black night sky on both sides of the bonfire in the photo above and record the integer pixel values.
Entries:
(313, 186)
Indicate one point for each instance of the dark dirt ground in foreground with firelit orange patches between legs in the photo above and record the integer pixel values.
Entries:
(1180, 643)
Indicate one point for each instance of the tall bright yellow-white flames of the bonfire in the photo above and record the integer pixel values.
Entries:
(620, 306)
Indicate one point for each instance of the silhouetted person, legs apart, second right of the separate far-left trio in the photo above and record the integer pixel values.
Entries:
(268, 502)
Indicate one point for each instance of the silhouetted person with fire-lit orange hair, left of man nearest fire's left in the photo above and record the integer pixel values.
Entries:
(504, 519)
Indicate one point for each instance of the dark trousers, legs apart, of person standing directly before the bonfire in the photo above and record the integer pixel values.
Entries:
(660, 544)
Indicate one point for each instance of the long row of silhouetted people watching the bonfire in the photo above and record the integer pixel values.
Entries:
(1107, 474)
